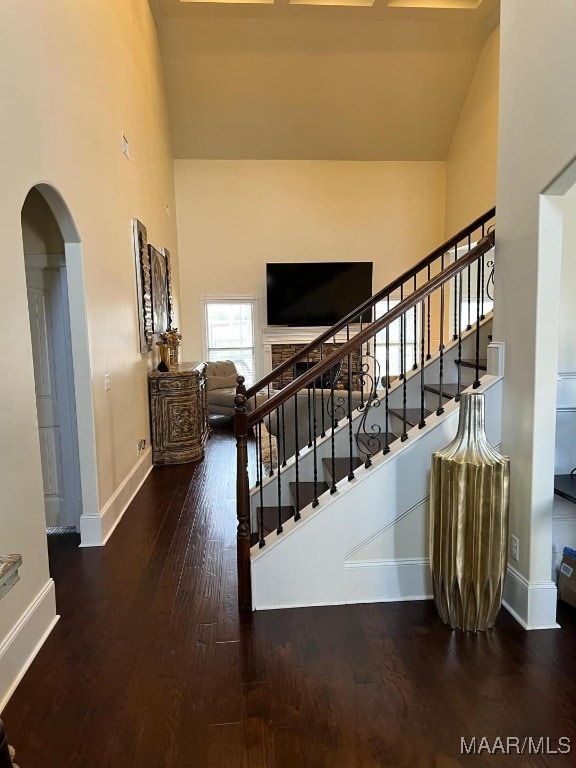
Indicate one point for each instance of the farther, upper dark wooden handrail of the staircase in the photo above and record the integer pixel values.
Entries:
(369, 303)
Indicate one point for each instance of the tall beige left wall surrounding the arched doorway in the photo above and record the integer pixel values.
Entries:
(73, 76)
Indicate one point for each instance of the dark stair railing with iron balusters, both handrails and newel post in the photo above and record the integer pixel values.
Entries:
(350, 371)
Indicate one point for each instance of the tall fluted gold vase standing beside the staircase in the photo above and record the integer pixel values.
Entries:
(469, 499)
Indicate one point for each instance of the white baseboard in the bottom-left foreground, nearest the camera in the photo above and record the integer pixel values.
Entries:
(19, 649)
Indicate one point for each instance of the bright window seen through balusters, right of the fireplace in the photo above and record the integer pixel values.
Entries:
(400, 329)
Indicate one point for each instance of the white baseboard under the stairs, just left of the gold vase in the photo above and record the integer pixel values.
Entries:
(373, 581)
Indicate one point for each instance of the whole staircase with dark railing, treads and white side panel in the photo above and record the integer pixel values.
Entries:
(310, 523)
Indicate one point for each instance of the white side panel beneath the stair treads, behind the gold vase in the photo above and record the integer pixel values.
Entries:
(368, 542)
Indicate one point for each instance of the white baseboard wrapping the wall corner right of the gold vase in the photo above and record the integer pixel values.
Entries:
(533, 605)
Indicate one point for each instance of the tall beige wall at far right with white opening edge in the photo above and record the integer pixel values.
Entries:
(537, 130)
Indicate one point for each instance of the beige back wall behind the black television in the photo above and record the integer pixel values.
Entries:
(234, 216)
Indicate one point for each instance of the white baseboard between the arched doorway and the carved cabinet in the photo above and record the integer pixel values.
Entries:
(95, 530)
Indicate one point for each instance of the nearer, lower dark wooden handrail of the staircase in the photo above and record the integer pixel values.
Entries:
(482, 247)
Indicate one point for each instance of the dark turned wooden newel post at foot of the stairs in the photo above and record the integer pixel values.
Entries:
(242, 498)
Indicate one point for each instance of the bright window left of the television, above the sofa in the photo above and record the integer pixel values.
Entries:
(229, 333)
